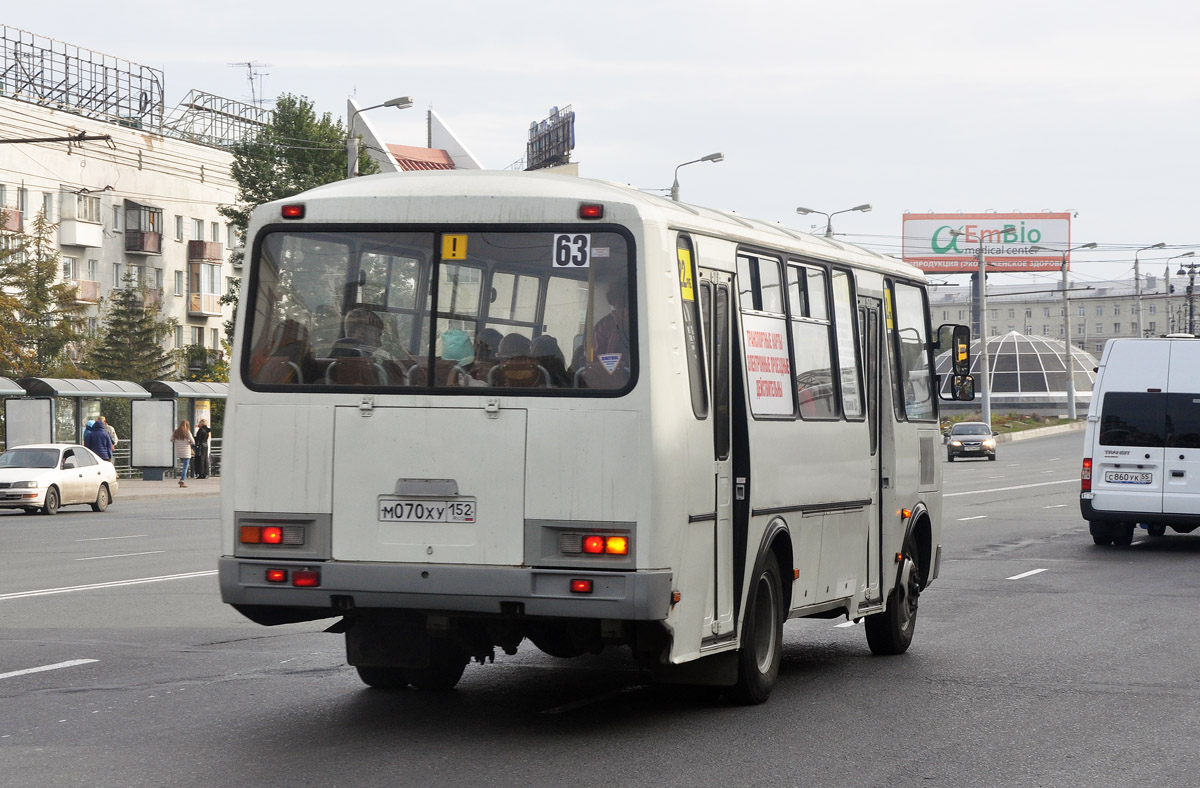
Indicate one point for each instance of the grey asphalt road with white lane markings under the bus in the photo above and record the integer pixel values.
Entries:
(1040, 660)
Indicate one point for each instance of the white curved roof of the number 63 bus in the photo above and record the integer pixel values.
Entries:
(652, 209)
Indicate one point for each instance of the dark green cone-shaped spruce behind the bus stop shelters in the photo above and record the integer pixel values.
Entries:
(133, 336)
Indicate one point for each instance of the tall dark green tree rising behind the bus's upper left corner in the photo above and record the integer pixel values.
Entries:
(296, 153)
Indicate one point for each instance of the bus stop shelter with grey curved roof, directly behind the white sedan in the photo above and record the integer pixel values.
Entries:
(39, 418)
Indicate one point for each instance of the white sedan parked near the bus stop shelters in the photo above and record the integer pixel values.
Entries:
(45, 477)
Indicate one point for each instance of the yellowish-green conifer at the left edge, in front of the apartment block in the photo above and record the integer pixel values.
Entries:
(40, 320)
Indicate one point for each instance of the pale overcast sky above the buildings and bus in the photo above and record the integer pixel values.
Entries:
(921, 106)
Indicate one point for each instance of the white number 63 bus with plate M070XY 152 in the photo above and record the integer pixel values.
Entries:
(475, 408)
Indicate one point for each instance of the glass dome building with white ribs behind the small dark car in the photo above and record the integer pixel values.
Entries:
(1028, 376)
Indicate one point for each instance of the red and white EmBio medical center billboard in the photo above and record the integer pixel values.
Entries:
(1007, 242)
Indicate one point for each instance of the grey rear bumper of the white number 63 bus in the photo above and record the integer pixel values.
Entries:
(501, 591)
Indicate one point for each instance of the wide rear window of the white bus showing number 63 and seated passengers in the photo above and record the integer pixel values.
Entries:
(541, 311)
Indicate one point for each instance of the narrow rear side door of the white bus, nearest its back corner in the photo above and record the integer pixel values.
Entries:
(716, 288)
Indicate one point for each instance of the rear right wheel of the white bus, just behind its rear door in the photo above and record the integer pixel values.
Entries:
(763, 637)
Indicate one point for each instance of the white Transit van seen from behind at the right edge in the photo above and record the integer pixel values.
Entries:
(1142, 448)
